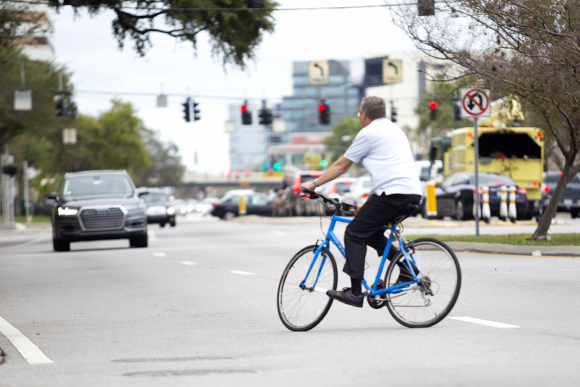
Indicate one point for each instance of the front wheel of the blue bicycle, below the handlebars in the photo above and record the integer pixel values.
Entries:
(302, 302)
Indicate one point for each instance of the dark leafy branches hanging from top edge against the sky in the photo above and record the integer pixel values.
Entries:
(234, 34)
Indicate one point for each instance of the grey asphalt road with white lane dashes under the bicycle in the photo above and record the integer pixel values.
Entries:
(198, 308)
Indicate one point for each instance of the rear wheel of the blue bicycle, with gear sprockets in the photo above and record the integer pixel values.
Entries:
(427, 303)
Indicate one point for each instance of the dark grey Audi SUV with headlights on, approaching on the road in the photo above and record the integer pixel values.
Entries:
(96, 205)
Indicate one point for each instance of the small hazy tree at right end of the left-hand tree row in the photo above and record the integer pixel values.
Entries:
(166, 168)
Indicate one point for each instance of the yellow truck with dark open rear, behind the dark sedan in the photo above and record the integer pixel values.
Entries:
(513, 151)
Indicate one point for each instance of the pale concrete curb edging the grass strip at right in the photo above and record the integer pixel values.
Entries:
(501, 249)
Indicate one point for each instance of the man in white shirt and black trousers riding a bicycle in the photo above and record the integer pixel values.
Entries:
(386, 154)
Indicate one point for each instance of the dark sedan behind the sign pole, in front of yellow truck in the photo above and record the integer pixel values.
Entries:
(455, 195)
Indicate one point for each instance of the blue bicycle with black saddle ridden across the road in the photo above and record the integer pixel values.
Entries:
(419, 287)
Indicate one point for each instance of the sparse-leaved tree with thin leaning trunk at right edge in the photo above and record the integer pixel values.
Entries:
(524, 48)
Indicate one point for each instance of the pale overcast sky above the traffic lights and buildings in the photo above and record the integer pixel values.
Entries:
(101, 71)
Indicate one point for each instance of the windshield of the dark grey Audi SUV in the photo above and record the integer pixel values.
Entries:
(97, 186)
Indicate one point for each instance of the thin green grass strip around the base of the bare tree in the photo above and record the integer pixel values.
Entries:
(512, 239)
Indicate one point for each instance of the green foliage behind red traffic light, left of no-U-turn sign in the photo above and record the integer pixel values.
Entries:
(444, 94)
